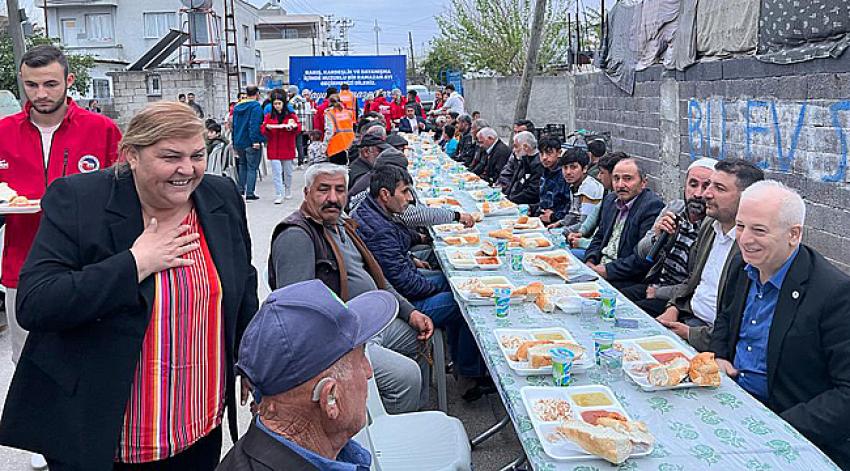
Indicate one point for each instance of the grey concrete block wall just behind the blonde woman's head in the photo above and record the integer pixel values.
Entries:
(132, 94)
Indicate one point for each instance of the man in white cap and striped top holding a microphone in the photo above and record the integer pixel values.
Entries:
(681, 220)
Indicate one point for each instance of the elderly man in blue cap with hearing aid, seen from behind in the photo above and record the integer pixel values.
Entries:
(304, 353)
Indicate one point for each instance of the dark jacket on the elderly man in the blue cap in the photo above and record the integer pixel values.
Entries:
(258, 451)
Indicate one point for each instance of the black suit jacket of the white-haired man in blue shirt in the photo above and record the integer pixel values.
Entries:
(808, 348)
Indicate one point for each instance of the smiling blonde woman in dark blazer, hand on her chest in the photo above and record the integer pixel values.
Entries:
(136, 293)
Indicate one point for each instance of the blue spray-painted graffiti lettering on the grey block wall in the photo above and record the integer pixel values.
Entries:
(783, 136)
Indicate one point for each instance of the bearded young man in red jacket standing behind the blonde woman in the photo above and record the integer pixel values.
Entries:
(51, 138)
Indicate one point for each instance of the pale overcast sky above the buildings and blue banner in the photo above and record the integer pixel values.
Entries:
(395, 18)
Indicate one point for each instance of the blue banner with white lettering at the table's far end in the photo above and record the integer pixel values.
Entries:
(363, 74)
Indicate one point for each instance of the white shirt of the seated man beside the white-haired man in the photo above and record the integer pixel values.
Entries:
(704, 301)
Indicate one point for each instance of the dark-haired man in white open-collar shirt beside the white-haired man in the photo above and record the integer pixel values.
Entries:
(692, 310)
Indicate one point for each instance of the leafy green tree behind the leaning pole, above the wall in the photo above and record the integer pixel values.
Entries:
(492, 36)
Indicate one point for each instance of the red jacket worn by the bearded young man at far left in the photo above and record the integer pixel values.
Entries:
(84, 142)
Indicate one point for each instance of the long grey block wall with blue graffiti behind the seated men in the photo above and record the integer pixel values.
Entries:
(793, 121)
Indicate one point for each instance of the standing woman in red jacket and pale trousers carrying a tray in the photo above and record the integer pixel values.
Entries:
(281, 128)
